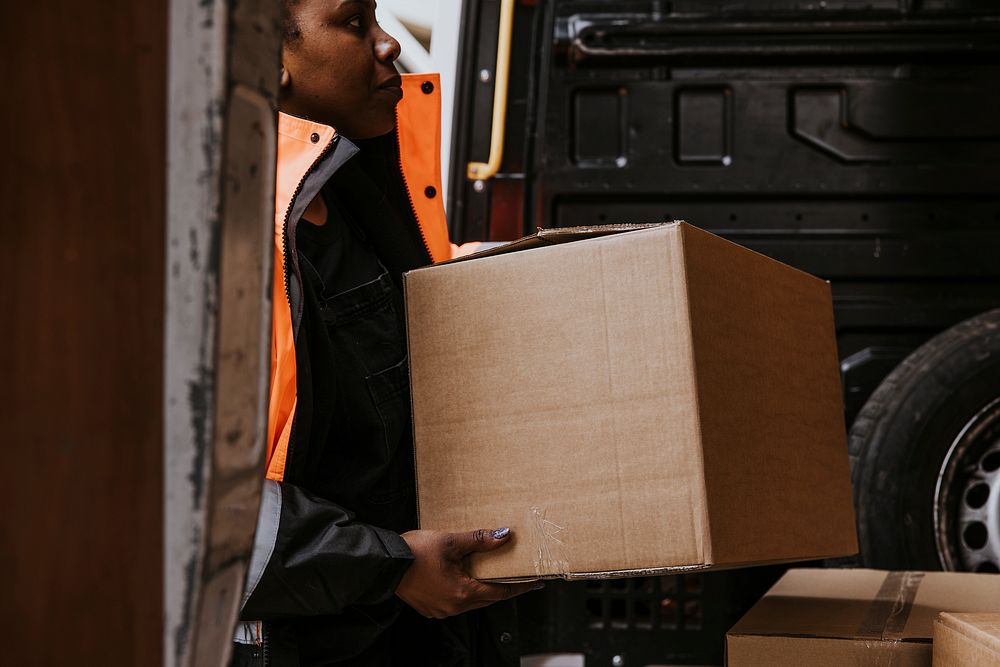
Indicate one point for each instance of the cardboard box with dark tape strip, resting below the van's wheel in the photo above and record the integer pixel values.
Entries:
(831, 618)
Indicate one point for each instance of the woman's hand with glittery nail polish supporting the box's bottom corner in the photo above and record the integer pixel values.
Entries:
(438, 585)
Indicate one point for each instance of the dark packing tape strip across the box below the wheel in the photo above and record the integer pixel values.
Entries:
(885, 620)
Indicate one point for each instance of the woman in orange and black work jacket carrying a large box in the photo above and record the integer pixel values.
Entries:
(338, 574)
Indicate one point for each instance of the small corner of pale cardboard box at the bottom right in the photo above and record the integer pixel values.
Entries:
(967, 640)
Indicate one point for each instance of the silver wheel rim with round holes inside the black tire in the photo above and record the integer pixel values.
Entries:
(967, 496)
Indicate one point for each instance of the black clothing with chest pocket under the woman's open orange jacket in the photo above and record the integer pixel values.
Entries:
(360, 426)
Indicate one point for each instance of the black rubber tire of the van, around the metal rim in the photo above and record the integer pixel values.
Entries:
(903, 434)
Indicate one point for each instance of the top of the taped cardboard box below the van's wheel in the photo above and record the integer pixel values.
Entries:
(874, 604)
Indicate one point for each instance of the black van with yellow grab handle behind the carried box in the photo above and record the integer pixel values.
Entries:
(858, 140)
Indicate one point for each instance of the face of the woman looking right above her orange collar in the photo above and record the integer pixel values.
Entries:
(338, 68)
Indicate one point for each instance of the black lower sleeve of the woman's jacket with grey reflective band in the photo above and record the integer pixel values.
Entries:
(311, 558)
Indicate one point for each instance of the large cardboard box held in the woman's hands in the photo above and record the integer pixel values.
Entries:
(646, 401)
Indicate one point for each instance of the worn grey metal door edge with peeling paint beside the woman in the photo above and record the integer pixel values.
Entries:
(224, 59)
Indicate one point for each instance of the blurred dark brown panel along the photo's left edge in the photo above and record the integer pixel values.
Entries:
(82, 173)
